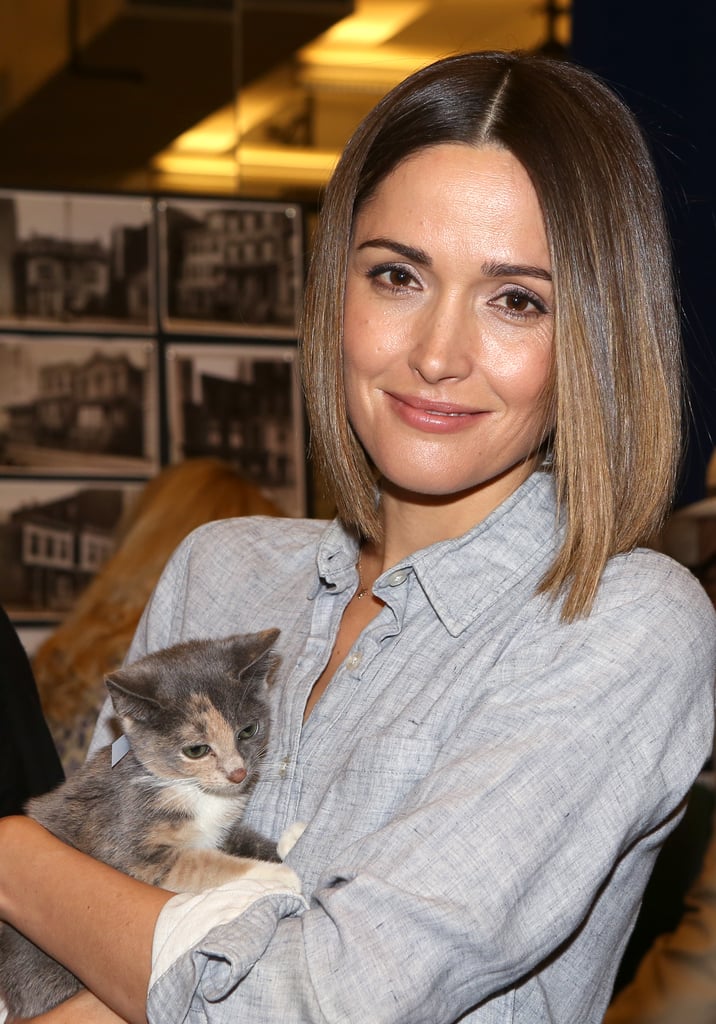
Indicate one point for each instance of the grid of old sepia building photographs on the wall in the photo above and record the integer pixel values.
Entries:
(137, 331)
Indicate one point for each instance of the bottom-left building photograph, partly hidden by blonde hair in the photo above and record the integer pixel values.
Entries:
(54, 538)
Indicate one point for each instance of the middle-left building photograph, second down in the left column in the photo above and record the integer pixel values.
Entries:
(77, 406)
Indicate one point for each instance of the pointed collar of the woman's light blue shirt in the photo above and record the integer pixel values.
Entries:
(464, 577)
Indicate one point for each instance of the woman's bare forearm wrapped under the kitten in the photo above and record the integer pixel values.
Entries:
(96, 921)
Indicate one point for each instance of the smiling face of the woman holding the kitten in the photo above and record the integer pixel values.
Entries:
(448, 325)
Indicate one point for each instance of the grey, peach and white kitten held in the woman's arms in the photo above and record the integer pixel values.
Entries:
(170, 812)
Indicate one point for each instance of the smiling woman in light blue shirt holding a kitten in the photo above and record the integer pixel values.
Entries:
(492, 703)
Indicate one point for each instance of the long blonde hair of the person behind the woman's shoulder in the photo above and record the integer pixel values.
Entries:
(71, 665)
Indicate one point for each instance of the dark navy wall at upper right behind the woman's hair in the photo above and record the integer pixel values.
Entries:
(661, 58)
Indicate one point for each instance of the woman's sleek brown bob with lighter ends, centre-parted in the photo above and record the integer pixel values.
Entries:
(617, 397)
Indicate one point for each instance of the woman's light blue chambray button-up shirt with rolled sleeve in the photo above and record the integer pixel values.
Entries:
(485, 787)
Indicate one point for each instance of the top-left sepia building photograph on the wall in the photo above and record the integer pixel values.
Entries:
(72, 263)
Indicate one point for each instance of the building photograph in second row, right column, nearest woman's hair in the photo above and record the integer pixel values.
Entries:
(241, 404)
